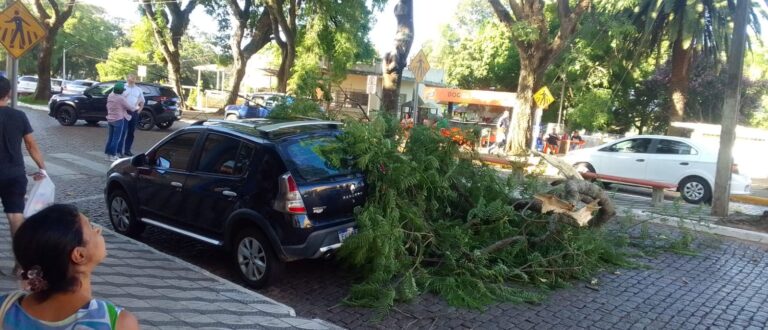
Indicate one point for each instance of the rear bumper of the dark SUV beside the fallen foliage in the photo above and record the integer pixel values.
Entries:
(317, 244)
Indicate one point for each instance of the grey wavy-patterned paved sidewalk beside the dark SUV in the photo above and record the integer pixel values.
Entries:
(165, 292)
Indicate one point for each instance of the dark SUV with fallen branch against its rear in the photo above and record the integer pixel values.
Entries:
(257, 187)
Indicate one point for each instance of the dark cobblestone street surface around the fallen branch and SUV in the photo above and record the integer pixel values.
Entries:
(721, 287)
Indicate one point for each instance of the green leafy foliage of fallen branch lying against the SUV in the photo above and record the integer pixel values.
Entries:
(430, 214)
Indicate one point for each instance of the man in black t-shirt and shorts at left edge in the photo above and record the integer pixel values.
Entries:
(15, 128)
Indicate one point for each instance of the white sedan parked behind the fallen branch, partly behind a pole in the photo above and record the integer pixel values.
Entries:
(667, 159)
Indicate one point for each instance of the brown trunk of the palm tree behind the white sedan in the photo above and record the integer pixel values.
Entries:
(678, 85)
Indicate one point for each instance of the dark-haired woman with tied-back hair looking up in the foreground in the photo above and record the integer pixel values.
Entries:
(58, 249)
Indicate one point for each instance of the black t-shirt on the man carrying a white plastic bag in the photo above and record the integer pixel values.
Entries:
(14, 125)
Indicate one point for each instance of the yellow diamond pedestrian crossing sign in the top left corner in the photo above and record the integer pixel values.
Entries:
(19, 30)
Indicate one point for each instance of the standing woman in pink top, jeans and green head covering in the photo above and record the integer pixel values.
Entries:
(117, 117)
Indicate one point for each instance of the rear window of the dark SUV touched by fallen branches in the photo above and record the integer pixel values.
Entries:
(305, 157)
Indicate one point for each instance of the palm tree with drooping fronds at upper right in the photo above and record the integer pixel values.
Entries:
(687, 27)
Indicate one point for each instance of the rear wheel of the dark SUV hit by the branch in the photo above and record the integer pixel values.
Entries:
(255, 259)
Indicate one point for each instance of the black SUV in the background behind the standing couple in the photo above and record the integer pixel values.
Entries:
(160, 106)
